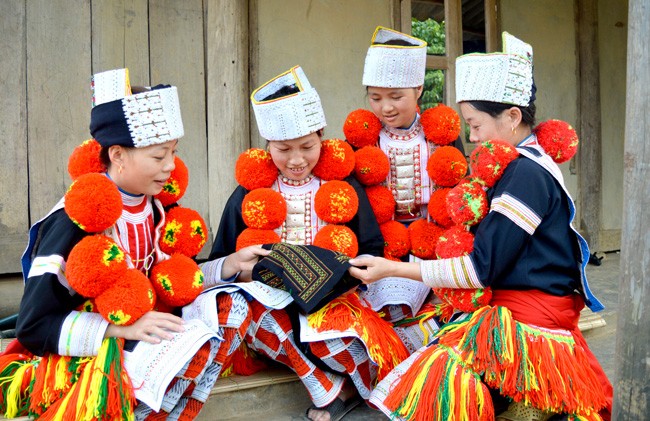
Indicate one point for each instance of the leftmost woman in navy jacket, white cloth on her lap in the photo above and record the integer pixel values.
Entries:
(98, 243)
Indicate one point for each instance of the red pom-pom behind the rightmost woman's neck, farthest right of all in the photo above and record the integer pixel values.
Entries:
(558, 138)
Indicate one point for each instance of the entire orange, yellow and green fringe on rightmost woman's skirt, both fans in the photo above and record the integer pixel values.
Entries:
(545, 369)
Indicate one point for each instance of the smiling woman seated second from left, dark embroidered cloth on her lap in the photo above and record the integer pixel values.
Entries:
(299, 193)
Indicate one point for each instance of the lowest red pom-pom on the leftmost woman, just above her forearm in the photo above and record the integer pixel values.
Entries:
(128, 299)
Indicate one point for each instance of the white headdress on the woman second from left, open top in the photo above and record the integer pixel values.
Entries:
(287, 107)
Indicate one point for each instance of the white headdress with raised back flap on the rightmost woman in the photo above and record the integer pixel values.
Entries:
(497, 77)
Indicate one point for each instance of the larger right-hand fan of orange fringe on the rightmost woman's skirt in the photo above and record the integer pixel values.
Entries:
(544, 369)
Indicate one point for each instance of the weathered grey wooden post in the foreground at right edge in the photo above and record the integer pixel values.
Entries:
(632, 395)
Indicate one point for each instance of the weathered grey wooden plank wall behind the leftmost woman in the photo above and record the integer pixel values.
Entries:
(50, 49)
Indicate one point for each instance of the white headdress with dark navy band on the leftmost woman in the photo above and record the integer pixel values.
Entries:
(120, 117)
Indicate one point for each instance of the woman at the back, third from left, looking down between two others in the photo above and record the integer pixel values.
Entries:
(393, 77)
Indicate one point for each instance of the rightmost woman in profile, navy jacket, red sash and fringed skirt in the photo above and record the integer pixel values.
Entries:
(527, 251)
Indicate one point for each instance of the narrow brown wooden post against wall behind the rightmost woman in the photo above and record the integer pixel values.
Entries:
(590, 151)
